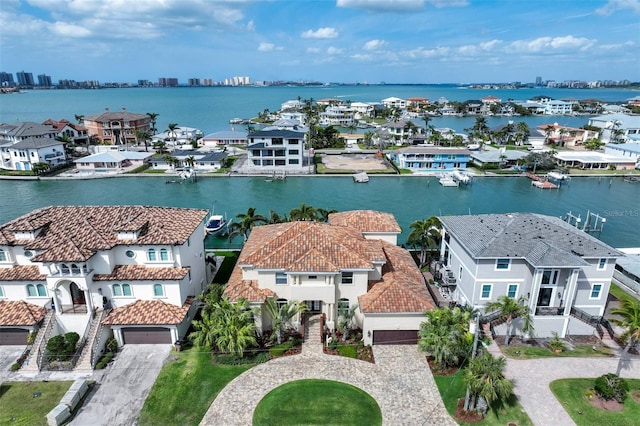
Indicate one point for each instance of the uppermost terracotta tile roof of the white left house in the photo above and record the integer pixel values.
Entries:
(75, 233)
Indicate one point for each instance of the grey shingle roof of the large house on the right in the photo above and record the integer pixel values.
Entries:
(543, 241)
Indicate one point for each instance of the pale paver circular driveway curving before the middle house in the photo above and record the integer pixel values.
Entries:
(400, 381)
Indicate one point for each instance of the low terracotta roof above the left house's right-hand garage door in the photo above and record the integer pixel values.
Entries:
(148, 312)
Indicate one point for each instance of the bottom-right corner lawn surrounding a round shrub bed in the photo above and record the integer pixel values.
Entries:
(570, 393)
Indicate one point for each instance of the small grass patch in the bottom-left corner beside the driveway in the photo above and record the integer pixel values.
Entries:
(17, 401)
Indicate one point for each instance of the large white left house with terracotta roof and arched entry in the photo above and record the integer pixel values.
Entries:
(131, 271)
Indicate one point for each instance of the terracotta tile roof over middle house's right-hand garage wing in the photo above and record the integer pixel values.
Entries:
(401, 289)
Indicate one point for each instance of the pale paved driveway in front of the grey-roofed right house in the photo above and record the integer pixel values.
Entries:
(532, 378)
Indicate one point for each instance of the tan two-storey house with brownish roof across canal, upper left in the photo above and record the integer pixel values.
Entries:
(116, 128)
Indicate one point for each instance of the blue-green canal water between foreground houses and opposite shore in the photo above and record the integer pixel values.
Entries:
(409, 198)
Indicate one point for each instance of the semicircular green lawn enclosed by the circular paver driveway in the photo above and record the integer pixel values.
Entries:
(317, 402)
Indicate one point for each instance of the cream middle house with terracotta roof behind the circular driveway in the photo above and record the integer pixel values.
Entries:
(352, 260)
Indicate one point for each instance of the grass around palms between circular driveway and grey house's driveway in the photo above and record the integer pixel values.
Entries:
(452, 388)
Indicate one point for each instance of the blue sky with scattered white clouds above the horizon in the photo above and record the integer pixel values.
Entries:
(349, 41)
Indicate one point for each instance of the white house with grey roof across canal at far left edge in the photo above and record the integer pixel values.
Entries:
(24, 144)
